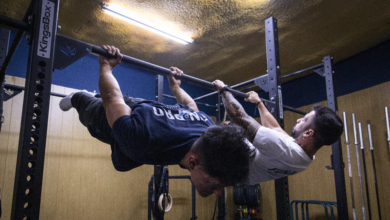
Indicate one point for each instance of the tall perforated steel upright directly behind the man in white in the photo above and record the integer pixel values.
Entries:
(275, 94)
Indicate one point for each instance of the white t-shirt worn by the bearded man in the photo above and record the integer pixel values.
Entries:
(277, 155)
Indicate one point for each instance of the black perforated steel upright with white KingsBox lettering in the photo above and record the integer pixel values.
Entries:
(33, 131)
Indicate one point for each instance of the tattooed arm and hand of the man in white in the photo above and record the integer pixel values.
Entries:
(237, 113)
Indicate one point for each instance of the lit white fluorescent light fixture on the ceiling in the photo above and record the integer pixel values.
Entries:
(133, 18)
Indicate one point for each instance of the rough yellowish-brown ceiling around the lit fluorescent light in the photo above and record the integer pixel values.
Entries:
(229, 42)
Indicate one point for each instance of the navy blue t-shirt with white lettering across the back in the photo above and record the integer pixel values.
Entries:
(156, 133)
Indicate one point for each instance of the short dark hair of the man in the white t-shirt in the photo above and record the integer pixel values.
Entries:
(327, 126)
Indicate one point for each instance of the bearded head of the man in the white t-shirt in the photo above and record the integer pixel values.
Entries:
(322, 124)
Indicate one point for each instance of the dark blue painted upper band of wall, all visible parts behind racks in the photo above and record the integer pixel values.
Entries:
(358, 72)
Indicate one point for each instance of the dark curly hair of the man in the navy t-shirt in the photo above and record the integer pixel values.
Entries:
(224, 153)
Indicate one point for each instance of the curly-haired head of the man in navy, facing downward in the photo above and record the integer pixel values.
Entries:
(221, 158)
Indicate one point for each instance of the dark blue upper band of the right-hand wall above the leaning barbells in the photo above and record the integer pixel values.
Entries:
(364, 70)
